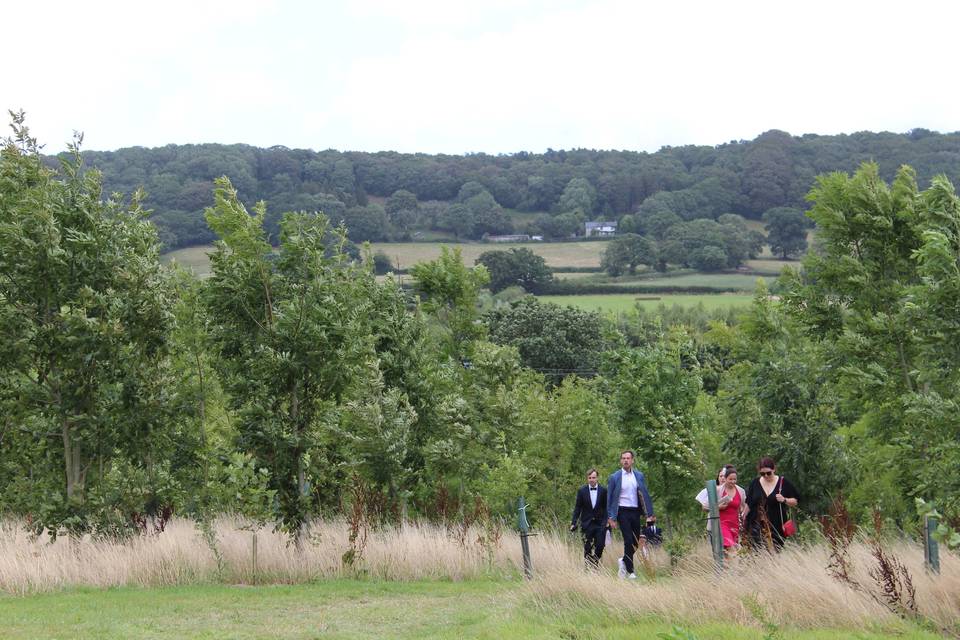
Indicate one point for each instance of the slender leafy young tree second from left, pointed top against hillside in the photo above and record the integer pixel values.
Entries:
(292, 334)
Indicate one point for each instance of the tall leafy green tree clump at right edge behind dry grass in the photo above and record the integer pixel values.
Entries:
(880, 297)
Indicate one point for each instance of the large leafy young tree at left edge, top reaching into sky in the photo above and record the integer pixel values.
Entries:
(85, 313)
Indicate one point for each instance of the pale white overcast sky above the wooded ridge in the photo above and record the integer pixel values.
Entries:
(495, 75)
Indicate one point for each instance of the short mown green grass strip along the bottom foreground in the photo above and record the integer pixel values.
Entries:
(350, 609)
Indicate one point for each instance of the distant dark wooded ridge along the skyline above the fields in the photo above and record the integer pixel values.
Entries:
(390, 195)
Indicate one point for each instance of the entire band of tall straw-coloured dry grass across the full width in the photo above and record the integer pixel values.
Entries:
(792, 588)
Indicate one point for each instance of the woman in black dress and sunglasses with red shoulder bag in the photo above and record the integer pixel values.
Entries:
(768, 499)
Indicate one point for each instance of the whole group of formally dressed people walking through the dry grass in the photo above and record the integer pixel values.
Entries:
(756, 515)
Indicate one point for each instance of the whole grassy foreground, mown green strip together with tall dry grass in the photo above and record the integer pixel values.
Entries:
(428, 581)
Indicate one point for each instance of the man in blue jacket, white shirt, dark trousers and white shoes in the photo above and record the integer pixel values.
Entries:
(628, 502)
